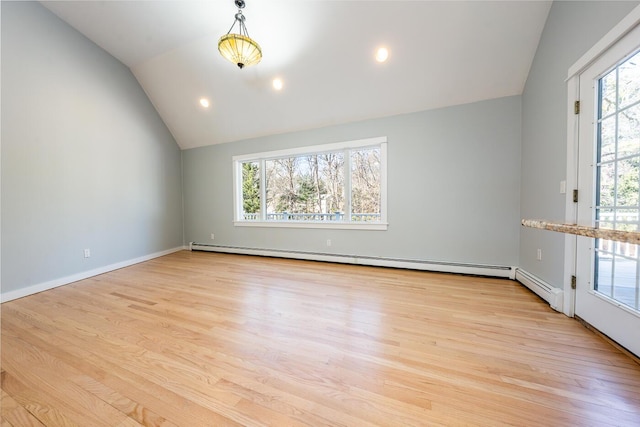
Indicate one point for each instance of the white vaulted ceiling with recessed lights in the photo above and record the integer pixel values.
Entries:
(442, 53)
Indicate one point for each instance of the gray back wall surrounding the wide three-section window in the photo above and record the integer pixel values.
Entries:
(453, 188)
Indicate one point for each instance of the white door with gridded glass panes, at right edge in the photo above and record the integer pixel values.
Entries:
(608, 273)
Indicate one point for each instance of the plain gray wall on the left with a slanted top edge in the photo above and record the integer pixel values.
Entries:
(86, 160)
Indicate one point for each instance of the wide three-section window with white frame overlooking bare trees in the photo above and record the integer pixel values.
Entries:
(340, 185)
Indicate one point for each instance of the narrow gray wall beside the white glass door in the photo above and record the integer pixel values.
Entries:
(572, 28)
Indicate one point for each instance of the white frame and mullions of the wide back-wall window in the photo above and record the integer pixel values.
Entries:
(380, 142)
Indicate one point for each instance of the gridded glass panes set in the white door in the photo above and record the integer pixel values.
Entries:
(618, 178)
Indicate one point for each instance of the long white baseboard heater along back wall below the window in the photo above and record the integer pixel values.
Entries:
(438, 266)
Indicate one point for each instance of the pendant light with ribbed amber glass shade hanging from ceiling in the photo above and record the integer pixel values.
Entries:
(239, 48)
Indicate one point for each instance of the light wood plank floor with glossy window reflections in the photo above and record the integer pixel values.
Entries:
(204, 339)
